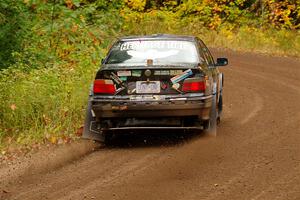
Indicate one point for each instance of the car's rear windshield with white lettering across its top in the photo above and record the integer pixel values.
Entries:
(160, 52)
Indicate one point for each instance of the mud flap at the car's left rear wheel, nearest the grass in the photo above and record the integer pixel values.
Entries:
(87, 133)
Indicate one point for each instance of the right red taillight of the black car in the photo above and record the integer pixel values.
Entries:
(193, 85)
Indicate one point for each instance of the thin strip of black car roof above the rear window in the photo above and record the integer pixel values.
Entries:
(159, 37)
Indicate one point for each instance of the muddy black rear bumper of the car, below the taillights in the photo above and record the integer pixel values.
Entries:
(152, 106)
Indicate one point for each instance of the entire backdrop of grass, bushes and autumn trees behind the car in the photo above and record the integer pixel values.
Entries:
(51, 49)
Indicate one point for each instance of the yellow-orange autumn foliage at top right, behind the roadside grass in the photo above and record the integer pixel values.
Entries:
(212, 13)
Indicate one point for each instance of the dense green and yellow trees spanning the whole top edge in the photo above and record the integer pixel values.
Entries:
(21, 19)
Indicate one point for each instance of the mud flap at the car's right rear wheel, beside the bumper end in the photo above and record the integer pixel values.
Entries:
(210, 128)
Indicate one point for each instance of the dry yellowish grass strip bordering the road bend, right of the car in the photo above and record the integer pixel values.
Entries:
(273, 42)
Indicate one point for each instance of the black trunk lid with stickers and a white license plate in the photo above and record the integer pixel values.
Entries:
(149, 81)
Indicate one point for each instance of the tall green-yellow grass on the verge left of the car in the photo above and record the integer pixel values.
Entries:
(45, 103)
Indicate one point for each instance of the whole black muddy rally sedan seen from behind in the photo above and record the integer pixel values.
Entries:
(155, 82)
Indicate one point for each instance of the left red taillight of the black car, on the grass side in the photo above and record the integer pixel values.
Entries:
(104, 86)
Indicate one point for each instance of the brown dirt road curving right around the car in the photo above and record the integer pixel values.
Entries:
(256, 154)
